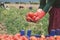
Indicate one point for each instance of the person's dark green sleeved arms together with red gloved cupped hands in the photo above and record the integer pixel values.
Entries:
(40, 13)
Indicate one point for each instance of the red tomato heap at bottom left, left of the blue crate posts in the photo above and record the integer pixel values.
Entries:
(12, 37)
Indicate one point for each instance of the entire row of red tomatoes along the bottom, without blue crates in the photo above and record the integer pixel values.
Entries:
(19, 37)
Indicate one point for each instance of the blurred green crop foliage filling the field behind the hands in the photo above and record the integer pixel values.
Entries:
(14, 20)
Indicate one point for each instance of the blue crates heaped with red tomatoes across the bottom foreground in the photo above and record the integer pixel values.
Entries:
(22, 36)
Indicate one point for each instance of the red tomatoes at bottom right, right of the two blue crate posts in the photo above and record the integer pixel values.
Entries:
(45, 38)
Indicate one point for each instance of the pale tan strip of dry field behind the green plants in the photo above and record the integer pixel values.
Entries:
(24, 5)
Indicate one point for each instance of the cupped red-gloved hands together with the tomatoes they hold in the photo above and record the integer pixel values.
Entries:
(34, 17)
